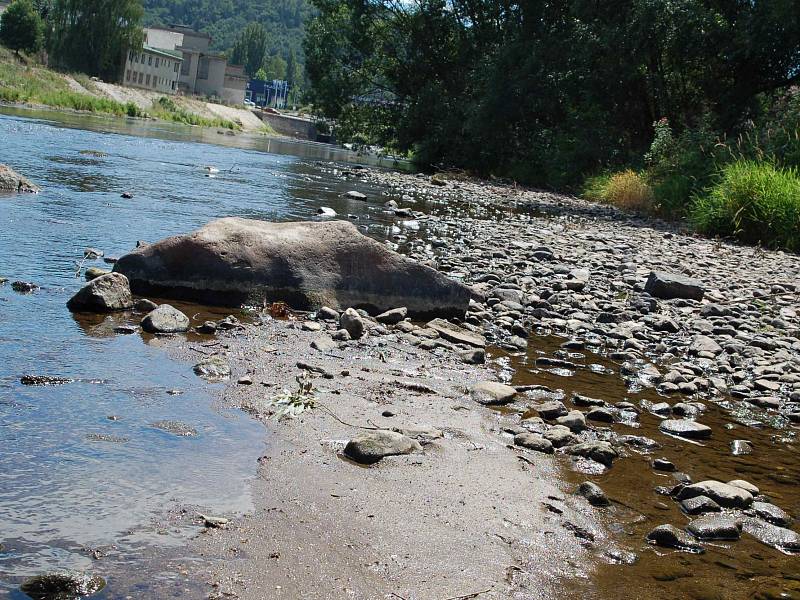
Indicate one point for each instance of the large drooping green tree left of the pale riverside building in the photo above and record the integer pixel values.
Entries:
(93, 36)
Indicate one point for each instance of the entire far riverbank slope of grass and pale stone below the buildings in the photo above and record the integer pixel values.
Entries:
(25, 83)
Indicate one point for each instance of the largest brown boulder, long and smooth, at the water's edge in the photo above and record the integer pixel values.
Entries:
(310, 264)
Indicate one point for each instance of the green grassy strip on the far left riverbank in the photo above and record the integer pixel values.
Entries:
(24, 81)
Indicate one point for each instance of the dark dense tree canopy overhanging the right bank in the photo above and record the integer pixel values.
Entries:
(541, 90)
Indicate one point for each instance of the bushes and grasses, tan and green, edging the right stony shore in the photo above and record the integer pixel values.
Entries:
(745, 189)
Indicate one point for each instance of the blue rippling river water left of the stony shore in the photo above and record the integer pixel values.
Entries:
(83, 469)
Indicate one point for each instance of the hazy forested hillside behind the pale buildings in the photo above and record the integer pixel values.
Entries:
(224, 20)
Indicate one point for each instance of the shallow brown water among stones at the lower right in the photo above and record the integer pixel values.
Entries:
(727, 570)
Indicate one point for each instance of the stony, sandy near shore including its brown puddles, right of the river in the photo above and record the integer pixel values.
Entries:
(607, 397)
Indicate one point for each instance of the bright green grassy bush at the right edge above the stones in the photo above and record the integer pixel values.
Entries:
(754, 203)
